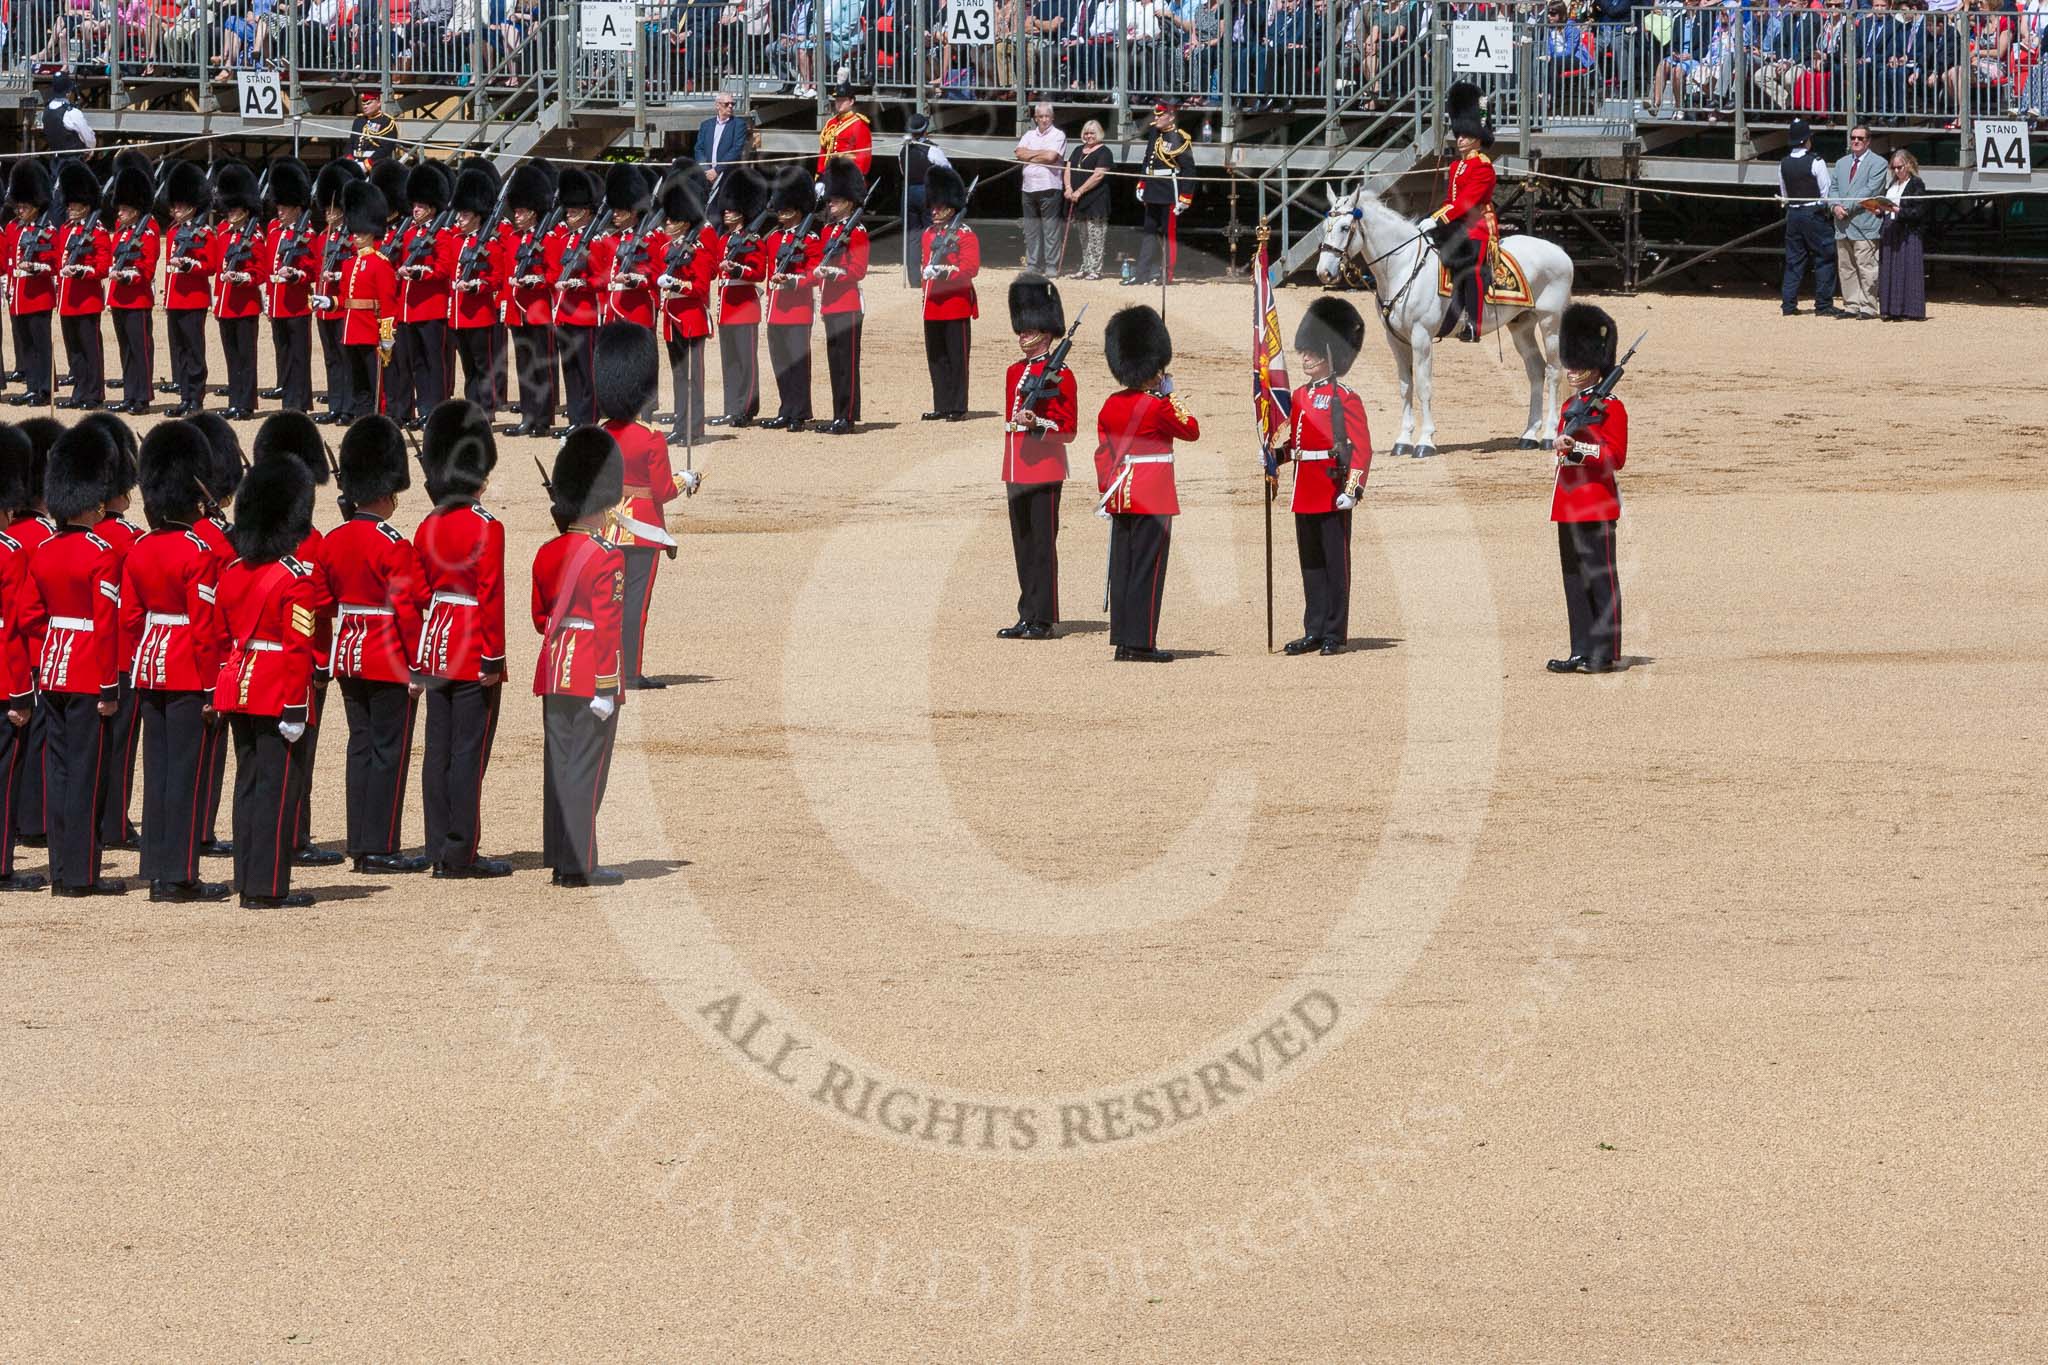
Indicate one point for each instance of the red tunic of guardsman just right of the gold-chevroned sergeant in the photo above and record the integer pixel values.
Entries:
(378, 588)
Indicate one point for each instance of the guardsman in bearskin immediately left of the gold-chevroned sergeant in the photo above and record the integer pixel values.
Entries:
(171, 644)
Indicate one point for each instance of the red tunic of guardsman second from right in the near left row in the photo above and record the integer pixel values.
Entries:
(464, 556)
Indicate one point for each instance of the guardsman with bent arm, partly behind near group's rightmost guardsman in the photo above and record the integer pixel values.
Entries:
(628, 388)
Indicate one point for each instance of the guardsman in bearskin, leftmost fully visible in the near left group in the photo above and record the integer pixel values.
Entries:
(73, 603)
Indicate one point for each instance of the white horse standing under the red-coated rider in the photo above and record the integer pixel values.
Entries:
(1406, 277)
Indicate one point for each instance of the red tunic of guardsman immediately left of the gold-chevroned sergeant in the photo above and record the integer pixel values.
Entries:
(171, 629)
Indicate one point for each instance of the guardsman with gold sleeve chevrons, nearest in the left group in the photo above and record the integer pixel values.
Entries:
(267, 662)
